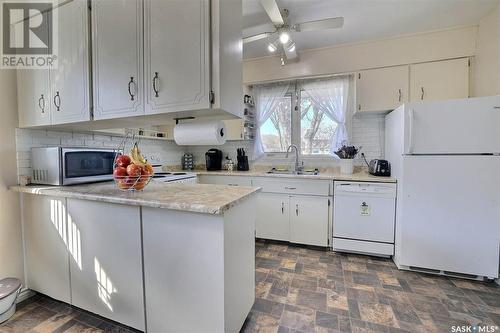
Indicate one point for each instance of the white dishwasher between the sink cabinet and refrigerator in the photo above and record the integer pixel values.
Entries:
(364, 217)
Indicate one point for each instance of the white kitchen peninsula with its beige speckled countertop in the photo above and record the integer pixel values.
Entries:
(175, 257)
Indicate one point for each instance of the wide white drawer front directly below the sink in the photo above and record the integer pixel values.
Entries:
(292, 186)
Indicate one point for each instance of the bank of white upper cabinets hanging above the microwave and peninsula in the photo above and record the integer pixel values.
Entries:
(176, 57)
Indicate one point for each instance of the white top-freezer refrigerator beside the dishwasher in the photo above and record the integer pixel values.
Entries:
(446, 158)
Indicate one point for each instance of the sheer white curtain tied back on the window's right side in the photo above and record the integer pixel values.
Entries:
(330, 96)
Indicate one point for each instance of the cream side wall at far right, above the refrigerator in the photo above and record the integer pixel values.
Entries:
(487, 61)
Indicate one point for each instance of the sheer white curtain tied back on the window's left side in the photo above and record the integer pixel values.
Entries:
(266, 98)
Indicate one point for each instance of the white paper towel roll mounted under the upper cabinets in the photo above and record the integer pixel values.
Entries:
(200, 133)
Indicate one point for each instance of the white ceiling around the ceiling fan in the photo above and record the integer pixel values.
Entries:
(363, 19)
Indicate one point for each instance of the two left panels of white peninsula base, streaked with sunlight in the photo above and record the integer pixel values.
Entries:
(87, 254)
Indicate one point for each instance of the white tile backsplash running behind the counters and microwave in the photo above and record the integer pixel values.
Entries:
(366, 130)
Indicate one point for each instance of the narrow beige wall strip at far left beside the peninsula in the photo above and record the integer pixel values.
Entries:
(11, 262)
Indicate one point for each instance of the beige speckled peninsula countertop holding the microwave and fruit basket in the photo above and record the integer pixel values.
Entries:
(198, 198)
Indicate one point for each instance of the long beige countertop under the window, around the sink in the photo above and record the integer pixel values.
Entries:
(326, 175)
